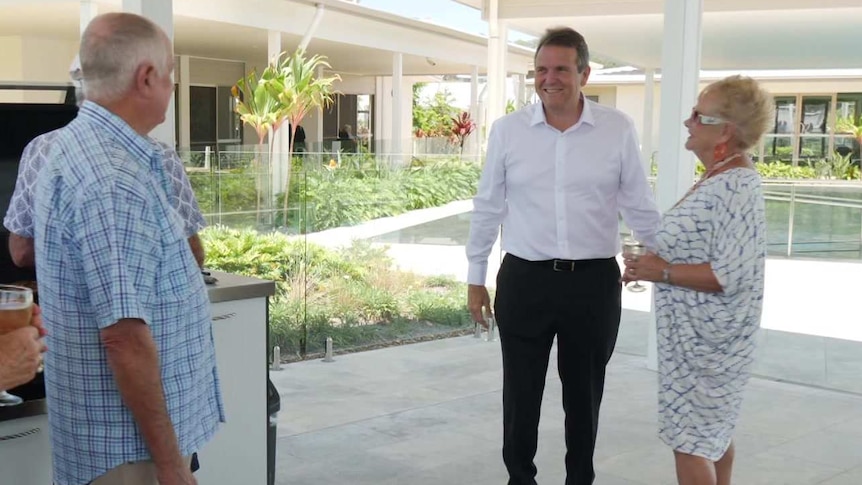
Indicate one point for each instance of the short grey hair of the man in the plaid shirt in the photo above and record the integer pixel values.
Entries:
(113, 46)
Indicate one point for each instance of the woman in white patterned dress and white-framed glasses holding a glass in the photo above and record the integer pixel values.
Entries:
(708, 269)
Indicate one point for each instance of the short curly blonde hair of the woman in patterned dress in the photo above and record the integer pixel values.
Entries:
(741, 101)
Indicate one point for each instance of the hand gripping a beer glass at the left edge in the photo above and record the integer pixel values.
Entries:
(20, 356)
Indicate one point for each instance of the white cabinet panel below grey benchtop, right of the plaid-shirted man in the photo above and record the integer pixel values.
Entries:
(237, 454)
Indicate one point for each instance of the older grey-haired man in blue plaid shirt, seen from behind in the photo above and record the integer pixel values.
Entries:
(131, 377)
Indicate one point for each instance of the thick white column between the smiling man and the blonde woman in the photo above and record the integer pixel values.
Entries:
(681, 52)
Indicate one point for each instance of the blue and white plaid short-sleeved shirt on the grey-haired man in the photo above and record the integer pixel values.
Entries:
(110, 246)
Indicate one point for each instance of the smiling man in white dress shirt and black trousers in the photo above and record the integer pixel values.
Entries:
(557, 176)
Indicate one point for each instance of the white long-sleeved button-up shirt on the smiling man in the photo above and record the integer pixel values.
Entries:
(558, 194)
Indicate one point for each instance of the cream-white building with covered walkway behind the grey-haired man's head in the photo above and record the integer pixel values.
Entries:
(378, 56)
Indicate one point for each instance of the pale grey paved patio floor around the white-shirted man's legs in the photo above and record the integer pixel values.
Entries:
(430, 413)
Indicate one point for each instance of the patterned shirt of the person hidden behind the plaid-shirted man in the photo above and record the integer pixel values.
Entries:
(19, 217)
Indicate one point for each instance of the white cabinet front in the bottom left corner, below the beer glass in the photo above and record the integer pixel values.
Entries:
(25, 451)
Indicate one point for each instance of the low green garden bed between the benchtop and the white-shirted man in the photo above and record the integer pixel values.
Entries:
(352, 295)
